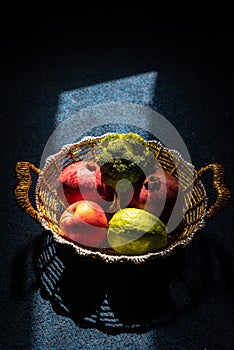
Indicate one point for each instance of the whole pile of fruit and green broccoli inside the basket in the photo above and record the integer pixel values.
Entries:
(122, 200)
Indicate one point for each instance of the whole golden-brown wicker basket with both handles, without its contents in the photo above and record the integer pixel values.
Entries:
(49, 208)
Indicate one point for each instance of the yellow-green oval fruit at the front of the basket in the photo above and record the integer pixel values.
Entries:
(135, 231)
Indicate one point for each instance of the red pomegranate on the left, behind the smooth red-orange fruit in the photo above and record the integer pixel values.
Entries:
(82, 181)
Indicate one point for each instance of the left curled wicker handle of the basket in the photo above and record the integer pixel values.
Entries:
(23, 176)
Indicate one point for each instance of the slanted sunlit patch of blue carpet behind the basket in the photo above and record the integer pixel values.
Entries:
(139, 88)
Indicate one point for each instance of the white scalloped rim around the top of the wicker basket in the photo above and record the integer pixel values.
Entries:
(137, 259)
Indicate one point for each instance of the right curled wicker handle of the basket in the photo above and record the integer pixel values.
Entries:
(223, 193)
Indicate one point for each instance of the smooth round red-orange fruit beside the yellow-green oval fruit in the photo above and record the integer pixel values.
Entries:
(84, 222)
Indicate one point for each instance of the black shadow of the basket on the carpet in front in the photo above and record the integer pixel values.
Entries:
(112, 297)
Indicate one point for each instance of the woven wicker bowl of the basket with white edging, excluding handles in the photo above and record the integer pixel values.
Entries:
(50, 207)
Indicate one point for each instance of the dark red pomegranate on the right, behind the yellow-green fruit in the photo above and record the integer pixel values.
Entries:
(158, 195)
